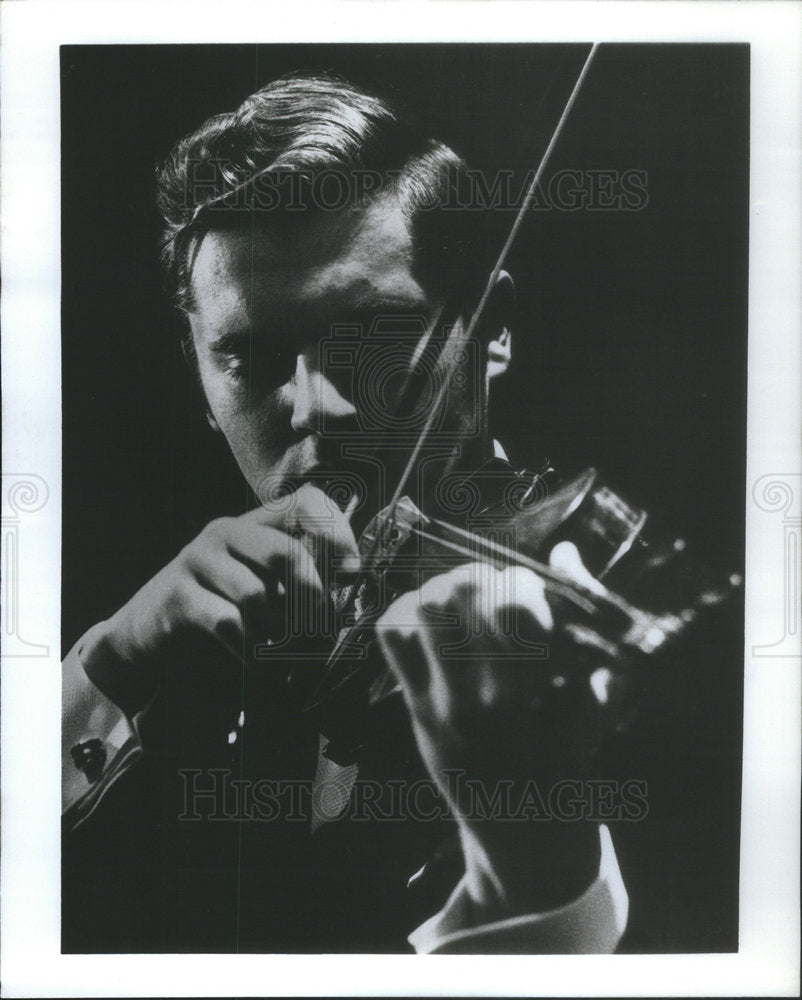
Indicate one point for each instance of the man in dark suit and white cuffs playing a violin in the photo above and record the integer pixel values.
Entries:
(267, 274)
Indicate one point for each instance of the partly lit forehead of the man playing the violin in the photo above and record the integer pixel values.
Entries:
(330, 262)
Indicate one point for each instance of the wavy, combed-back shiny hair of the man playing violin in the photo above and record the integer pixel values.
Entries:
(273, 154)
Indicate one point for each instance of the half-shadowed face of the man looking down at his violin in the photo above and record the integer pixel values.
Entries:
(264, 307)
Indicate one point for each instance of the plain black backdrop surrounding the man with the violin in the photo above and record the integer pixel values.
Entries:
(630, 348)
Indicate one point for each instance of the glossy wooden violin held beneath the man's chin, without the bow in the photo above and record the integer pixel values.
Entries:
(631, 603)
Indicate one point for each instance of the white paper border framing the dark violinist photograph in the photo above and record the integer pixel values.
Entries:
(768, 960)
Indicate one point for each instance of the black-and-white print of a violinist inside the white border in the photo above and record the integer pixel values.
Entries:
(404, 413)
